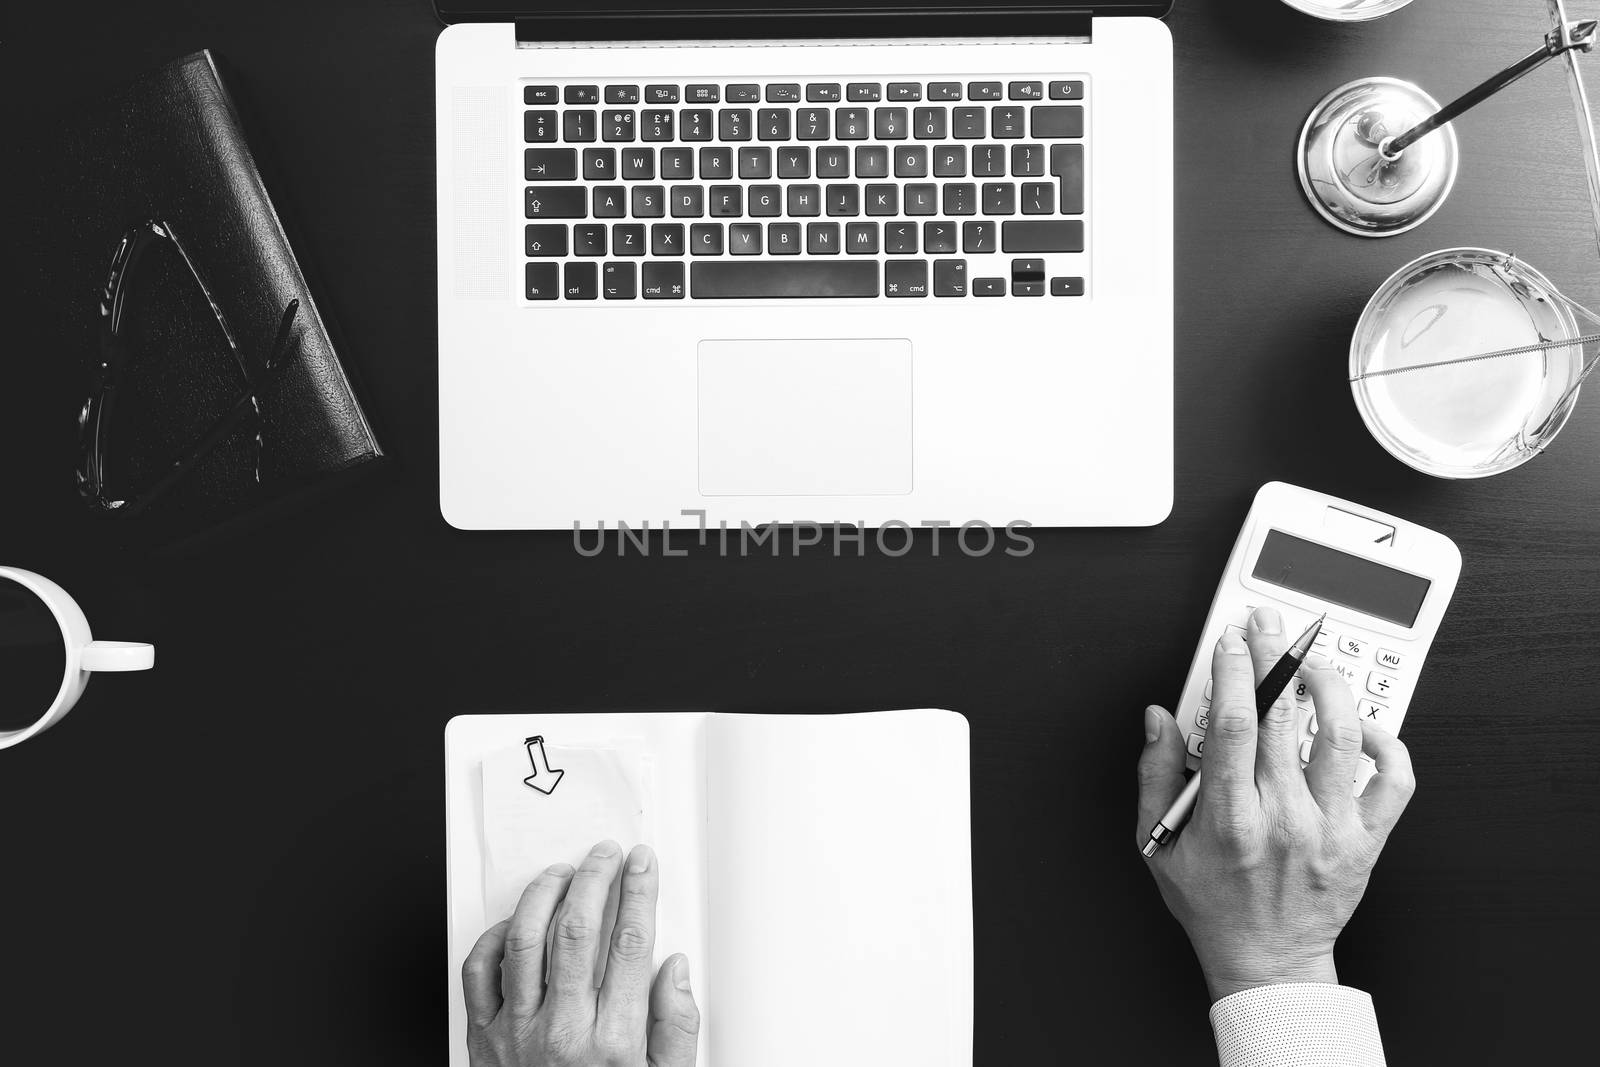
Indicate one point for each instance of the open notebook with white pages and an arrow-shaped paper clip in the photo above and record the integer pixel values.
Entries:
(817, 869)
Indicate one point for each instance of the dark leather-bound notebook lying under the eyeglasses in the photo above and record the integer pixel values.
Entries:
(210, 386)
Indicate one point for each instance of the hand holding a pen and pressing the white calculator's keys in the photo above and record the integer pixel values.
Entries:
(1274, 860)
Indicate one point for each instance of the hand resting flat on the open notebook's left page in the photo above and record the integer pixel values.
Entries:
(516, 1018)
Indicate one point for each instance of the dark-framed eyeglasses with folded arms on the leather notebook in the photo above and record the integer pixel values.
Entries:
(119, 356)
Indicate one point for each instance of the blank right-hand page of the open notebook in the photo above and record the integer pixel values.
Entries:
(863, 959)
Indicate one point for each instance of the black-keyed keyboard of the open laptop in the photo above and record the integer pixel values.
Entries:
(777, 191)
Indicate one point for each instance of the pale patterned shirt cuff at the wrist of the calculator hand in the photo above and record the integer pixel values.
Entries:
(1297, 1025)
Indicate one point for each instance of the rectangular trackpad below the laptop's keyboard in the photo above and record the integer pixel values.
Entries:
(806, 418)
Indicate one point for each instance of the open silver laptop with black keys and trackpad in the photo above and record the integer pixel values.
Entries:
(737, 263)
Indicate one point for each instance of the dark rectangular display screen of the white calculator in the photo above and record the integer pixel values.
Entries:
(1340, 578)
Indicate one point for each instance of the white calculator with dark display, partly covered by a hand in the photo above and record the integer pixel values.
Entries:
(1383, 581)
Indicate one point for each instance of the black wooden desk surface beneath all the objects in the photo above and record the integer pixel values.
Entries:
(241, 857)
